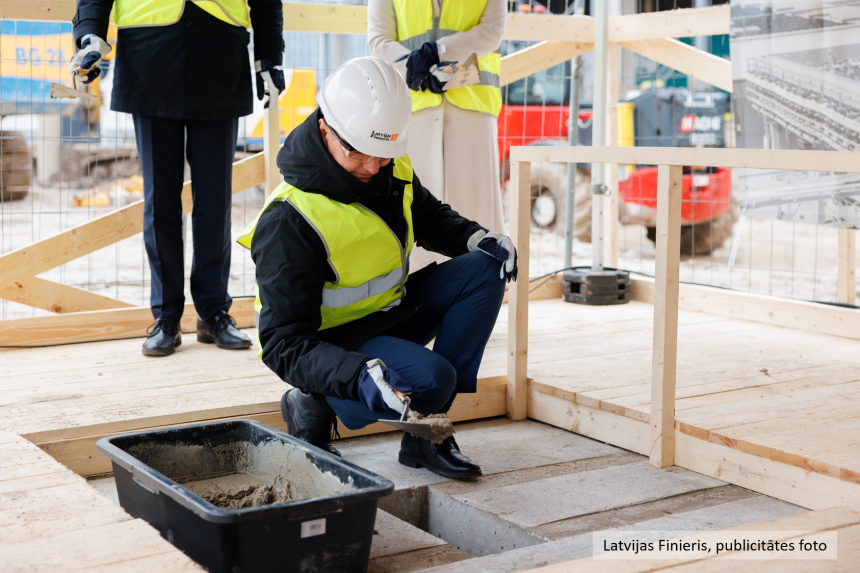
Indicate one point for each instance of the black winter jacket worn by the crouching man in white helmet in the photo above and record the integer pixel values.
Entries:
(292, 265)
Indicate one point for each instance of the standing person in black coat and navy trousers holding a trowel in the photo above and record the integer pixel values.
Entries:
(183, 72)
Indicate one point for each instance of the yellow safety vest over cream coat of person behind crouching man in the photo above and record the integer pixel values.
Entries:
(416, 25)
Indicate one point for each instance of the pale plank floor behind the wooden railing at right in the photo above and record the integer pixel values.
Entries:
(811, 383)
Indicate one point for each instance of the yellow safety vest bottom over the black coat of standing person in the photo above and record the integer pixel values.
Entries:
(140, 13)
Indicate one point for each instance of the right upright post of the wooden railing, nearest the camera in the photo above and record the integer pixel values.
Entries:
(665, 353)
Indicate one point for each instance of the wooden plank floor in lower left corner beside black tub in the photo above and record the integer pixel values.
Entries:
(52, 520)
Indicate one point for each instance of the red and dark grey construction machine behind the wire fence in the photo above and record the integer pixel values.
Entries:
(536, 112)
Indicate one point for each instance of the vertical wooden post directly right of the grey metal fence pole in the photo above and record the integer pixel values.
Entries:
(610, 206)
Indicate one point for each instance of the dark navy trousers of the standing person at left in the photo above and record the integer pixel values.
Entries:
(210, 148)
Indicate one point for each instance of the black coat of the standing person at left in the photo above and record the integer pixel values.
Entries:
(197, 68)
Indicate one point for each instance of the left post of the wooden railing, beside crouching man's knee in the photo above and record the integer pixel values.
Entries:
(519, 192)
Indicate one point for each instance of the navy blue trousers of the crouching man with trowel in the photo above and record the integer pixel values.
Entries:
(460, 302)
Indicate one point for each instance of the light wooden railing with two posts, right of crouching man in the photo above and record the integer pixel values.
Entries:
(665, 443)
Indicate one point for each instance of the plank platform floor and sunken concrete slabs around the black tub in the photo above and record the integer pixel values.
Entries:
(779, 407)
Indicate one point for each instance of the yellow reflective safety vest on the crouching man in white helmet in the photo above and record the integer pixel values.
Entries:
(370, 263)
